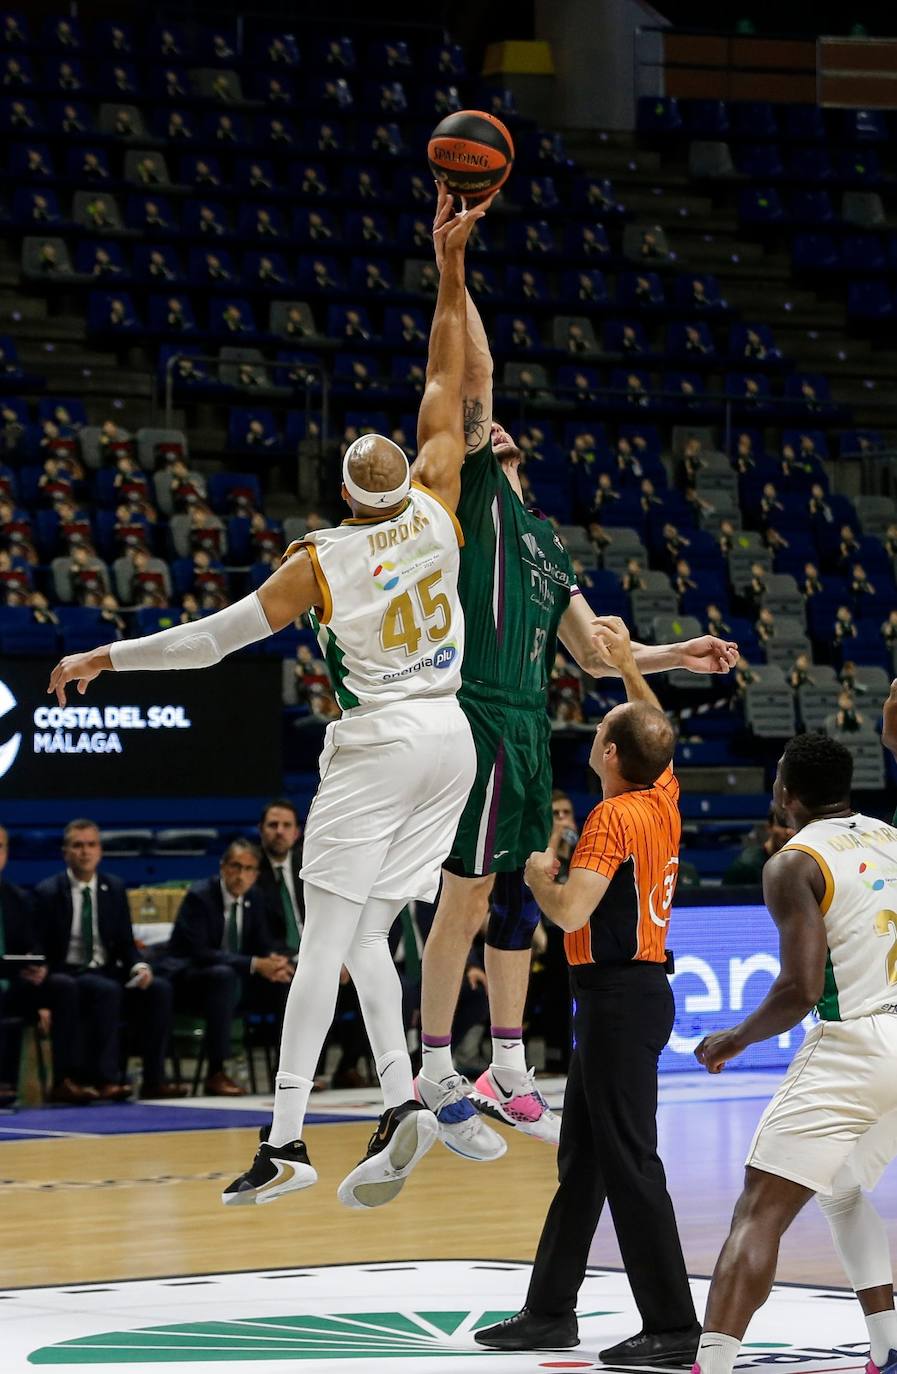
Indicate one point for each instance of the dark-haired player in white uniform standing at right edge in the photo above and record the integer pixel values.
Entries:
(832, 1127)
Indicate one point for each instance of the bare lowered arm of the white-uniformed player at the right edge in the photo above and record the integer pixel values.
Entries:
(793, 891)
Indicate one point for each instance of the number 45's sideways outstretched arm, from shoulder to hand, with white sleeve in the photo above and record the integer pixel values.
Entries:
(289, 593)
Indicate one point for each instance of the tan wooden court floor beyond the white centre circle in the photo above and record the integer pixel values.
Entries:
(106, 1208)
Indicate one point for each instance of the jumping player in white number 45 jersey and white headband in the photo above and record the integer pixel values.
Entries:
(396, 769)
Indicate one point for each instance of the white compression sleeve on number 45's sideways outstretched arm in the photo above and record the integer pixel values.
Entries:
(197, 645)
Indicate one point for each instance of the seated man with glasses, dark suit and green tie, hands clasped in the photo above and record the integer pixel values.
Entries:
(222, 954)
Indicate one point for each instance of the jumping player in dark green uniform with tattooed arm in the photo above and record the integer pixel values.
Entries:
(519, 594)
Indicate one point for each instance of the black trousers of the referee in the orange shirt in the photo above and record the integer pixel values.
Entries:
(608, 1152)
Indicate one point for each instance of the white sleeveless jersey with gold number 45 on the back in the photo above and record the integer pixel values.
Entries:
(392, 627)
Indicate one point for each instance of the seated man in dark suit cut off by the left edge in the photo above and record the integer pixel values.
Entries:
(30, 995)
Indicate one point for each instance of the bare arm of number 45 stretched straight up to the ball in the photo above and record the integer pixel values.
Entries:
(440, 420)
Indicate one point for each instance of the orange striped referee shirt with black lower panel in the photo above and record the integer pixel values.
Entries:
(634, 842)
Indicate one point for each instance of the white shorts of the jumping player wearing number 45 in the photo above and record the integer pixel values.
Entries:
(395, 781)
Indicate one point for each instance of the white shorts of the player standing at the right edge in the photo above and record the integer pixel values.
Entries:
(833, 1120)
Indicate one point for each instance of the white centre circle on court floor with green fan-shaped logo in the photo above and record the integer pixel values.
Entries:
(414, 1316)
